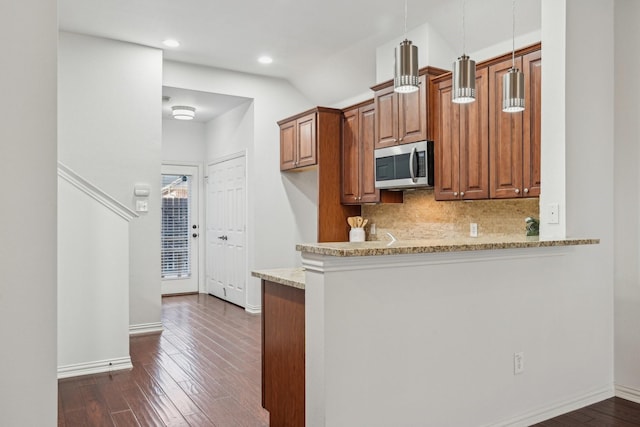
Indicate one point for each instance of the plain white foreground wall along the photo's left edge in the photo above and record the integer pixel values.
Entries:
(28, 219)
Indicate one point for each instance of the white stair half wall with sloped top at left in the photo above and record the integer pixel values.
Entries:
(93, 281)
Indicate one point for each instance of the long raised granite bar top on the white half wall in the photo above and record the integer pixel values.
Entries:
(404, 247)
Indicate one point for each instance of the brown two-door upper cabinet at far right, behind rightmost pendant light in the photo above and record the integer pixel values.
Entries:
(515, 137)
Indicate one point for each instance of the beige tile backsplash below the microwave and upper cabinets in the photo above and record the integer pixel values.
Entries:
(422, 217)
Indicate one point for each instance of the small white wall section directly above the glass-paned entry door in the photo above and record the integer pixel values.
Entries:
(183, 141)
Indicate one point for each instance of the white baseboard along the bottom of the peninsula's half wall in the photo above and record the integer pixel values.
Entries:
(557, 409)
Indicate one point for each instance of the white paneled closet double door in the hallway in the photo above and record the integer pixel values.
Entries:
(226, 234)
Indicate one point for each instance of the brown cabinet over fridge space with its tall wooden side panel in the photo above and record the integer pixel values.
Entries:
(311, 140)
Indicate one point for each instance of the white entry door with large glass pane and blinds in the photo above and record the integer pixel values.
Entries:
(180, 232)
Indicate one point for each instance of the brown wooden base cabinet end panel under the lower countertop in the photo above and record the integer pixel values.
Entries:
(283, 354)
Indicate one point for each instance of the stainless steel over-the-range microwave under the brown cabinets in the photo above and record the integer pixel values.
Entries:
(405, 166)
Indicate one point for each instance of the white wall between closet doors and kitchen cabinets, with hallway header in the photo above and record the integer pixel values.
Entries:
(273, 206)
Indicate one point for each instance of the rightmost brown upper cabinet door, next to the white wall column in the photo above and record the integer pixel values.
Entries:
(532, 68)
